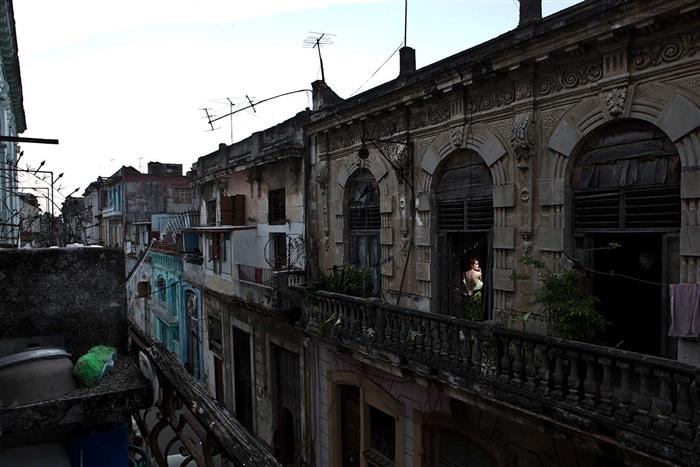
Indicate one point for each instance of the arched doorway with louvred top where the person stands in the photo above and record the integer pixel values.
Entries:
(464, 218)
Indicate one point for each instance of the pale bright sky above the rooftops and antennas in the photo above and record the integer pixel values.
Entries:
(125, 82)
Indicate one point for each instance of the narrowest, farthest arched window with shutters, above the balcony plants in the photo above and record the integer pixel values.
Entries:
(364, 221)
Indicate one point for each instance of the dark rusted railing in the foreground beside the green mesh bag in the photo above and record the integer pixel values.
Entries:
(185, 422)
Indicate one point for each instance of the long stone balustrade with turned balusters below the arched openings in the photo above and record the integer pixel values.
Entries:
(646, 403)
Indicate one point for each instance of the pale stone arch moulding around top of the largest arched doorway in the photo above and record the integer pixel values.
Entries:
(675, 111)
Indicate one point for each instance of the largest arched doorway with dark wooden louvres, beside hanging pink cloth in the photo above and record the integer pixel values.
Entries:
(625, 222)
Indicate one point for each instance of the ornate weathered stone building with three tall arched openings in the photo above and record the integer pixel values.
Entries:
(558, 141)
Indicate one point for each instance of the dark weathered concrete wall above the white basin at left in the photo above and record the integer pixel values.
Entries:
(74, 293)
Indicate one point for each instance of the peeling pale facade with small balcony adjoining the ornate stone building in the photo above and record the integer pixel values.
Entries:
(251, 238)
